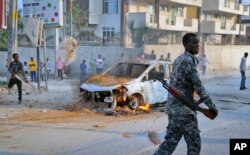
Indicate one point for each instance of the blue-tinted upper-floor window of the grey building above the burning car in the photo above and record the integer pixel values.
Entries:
(110, 6)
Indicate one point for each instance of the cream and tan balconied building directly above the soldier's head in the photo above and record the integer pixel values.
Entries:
(167, 20)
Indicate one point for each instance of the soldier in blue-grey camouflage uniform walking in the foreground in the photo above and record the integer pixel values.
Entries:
(183, 120)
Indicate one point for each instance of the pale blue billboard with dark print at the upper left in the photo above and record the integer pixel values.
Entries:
(50, 11)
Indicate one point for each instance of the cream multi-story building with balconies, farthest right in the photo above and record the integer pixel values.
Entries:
(221, 20)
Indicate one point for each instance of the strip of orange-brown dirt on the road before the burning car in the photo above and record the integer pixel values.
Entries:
(85, 116)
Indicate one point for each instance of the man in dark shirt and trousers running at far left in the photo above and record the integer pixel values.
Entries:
(16, 69)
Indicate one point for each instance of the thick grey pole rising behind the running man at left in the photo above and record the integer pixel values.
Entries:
(12, 29)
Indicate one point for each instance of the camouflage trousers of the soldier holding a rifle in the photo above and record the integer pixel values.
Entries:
(179, 126)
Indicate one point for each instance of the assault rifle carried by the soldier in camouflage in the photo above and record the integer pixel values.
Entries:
(189, 103)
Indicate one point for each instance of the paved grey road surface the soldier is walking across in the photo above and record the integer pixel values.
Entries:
(130, 137)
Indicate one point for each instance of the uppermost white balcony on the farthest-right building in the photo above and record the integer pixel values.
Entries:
(229, 7)
